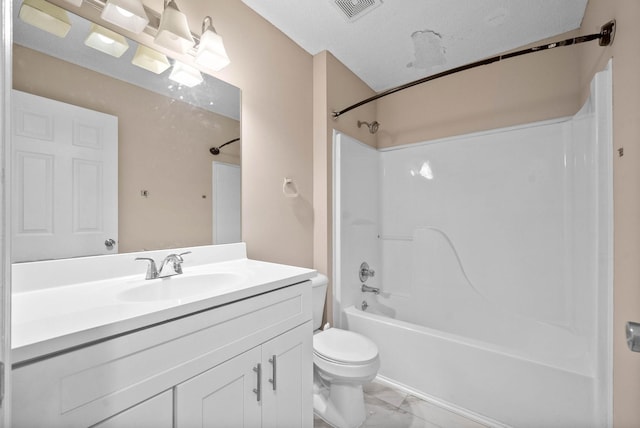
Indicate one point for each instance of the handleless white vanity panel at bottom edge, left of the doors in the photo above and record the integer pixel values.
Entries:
(157, 412)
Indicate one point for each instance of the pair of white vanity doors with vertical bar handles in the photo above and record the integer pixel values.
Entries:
(260, 388)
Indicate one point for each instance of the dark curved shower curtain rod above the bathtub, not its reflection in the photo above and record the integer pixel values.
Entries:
(605, 37)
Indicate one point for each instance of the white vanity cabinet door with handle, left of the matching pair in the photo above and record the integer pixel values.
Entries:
(222, 397)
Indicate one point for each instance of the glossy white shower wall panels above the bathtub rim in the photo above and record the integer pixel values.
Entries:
(500, 221)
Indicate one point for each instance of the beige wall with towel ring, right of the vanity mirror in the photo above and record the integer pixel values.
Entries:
(276, 79)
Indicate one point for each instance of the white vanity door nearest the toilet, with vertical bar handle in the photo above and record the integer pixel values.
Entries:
(288, 369)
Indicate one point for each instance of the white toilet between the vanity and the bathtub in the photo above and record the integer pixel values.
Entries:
(343, 361)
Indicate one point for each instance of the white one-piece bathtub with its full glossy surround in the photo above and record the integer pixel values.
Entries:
(493, 256)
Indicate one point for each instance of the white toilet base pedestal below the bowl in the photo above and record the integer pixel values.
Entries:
(339, 404)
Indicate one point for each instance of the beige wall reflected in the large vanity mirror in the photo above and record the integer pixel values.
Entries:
(163, 149)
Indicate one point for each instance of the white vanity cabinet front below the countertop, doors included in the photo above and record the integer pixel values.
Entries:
(192, 371)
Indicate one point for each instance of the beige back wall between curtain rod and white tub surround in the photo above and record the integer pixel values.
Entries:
(519, 90)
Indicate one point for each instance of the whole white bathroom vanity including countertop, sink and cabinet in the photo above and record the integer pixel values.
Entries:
(125, 351)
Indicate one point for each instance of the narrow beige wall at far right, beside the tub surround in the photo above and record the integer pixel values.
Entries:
(626, 188)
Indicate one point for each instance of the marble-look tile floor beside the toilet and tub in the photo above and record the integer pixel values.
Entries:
(391, 408)
